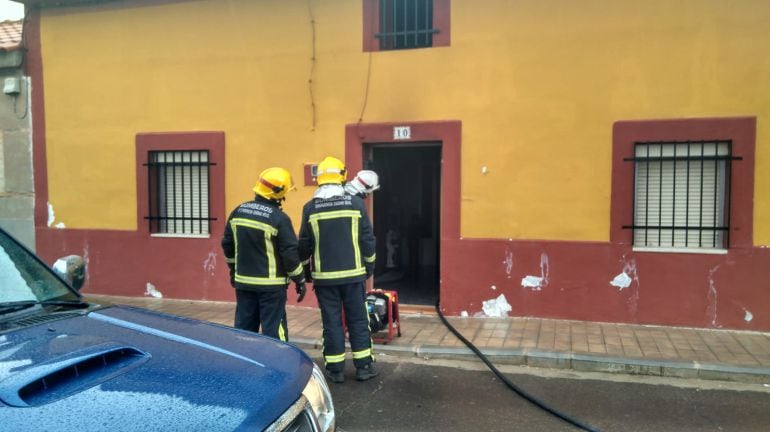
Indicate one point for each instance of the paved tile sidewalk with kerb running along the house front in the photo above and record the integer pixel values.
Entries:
(585, 346)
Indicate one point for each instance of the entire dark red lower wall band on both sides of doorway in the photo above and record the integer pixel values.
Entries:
(697, 290)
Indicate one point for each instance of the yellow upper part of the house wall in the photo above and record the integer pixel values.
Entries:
(537, 85)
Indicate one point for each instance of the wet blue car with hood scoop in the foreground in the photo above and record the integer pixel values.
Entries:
(66, 364)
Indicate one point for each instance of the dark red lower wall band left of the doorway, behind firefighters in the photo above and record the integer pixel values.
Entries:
(121, 263)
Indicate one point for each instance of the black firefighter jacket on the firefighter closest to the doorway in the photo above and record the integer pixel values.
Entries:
(337, 234)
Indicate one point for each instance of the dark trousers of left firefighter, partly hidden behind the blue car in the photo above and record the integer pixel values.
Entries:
(266, 309)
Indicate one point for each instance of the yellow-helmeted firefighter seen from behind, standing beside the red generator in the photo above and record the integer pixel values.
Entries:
(336, 239)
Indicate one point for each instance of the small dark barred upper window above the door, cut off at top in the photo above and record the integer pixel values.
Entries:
(406, 24)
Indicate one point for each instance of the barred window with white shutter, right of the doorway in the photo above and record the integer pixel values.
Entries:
(682, 194)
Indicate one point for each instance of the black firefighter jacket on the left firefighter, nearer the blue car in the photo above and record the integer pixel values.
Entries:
(260, 242)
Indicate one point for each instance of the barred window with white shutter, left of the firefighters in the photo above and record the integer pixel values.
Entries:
(179, 192)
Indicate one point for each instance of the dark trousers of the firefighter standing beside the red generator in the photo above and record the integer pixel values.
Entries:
(332, 299)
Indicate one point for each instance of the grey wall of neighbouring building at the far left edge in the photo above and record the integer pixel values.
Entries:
(16, 181)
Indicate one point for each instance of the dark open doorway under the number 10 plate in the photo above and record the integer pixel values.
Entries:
(406, 218)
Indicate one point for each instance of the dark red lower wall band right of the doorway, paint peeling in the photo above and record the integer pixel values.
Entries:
(697, 290)
